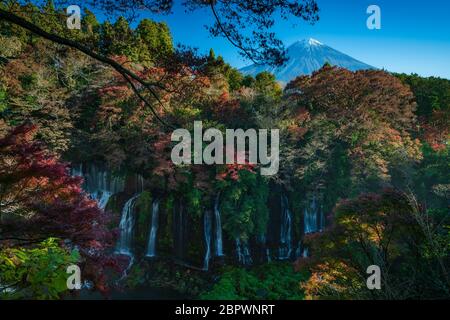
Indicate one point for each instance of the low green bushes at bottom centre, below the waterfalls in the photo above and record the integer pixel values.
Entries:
(273, 281)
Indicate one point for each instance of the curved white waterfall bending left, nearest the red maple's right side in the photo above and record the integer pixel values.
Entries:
(126, 227)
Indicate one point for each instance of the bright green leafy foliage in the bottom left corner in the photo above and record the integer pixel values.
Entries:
(38, 273)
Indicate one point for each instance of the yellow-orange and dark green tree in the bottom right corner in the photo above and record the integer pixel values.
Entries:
(389, 230)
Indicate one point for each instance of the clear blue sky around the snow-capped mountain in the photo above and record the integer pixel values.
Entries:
(414, 36)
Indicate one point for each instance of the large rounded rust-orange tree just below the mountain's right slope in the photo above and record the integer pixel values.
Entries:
(370, 114)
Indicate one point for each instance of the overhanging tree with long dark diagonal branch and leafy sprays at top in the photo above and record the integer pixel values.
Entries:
(230, 16)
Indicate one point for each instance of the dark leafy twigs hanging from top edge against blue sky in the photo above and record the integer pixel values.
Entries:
(247, 25)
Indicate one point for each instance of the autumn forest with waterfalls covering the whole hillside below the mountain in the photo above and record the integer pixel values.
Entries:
(86, 176)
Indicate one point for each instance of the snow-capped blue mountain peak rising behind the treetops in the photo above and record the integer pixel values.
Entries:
(305, 57)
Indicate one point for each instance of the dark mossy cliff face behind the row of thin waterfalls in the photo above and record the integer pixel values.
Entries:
(248, 211)
